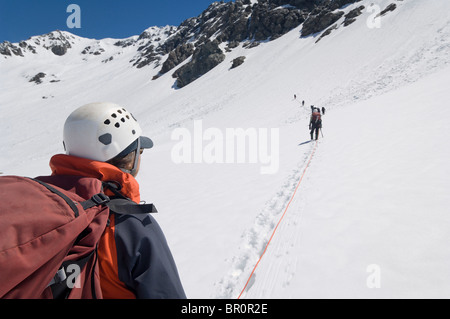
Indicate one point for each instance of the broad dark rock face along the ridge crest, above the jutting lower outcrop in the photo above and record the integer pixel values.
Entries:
(233, 22)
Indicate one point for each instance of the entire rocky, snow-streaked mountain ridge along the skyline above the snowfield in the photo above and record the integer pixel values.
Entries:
(199, 38)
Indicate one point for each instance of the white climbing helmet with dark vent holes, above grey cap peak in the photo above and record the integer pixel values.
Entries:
(101, 131)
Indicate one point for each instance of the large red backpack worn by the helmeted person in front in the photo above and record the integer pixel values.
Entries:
(49, 237)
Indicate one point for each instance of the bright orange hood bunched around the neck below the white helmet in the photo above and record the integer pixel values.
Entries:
(76, 166)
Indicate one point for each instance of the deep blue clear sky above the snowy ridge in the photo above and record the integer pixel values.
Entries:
(21, 19)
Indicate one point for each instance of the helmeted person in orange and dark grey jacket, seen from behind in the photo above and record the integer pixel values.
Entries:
(103, 141)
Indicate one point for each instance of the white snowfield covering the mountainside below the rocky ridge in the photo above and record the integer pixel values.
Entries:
(370, 218)
